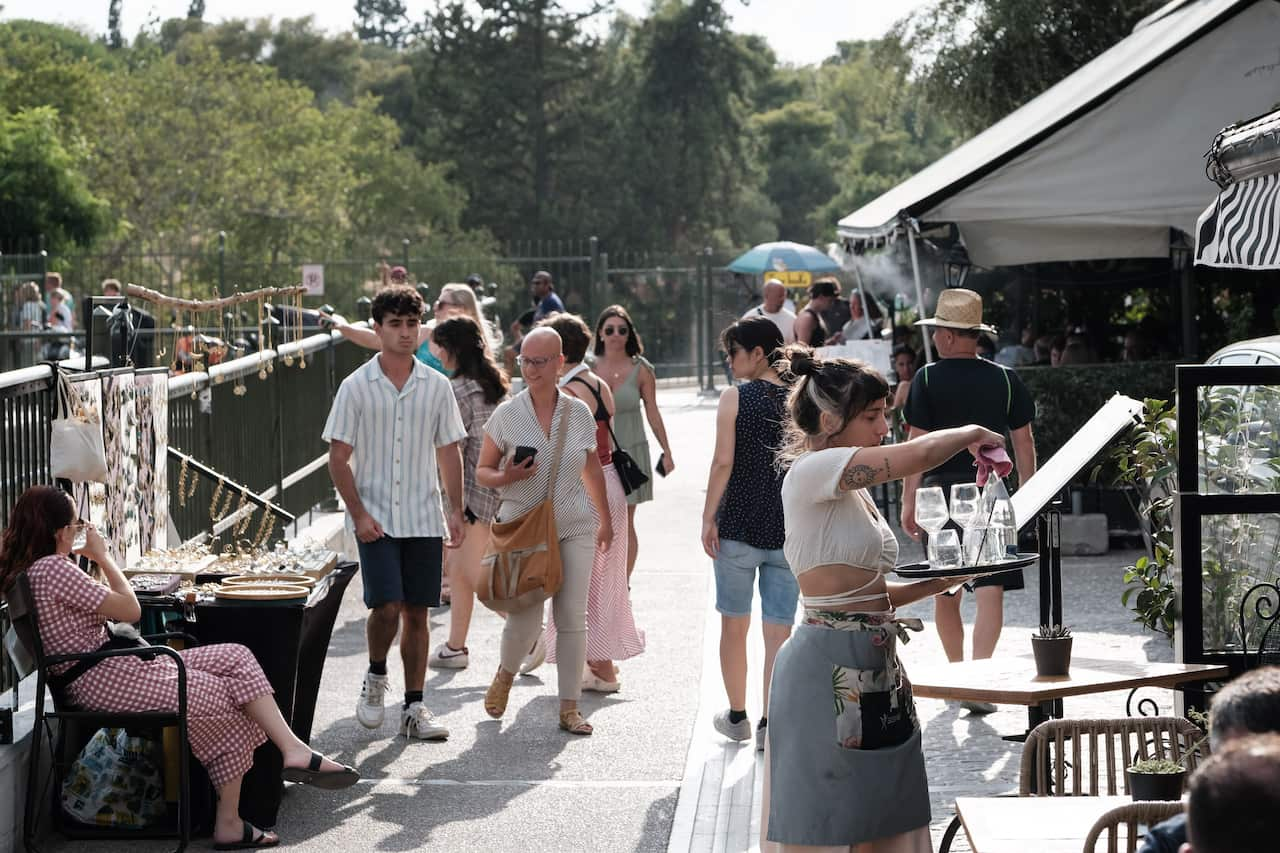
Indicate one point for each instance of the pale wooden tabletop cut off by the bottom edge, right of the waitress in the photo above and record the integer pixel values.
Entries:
(1032, 824)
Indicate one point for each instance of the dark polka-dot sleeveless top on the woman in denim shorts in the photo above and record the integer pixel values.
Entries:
(752, 508)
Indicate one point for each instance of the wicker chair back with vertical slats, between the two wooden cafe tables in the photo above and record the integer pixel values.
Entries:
(1089, 758)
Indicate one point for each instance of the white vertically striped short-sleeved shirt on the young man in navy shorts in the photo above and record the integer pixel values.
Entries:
(395, 435)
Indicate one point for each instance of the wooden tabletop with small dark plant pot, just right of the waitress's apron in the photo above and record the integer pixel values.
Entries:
(1013, 681)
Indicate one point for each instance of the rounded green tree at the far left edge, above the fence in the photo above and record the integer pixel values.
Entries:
(43, 190)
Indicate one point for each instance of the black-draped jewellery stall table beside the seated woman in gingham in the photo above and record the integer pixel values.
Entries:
(290, 641)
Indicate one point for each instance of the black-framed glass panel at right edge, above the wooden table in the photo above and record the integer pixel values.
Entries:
(1227, 518)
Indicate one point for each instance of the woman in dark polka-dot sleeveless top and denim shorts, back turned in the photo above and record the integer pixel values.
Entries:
(743, 516)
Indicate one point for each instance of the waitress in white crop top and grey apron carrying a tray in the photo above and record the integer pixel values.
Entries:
(843, 711)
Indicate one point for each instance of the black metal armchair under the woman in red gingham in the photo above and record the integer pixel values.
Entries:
(67, 727)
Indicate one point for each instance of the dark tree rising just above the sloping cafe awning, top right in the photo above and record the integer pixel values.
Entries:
(982, 60)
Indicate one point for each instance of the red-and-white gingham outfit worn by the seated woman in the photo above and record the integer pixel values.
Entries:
(221, 679)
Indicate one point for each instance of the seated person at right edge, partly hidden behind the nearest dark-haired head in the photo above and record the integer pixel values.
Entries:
(1247, 706)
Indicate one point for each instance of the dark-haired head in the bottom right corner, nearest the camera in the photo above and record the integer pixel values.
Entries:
(1235, 799)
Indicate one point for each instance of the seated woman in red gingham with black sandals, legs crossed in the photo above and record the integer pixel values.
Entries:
(231, 710)
